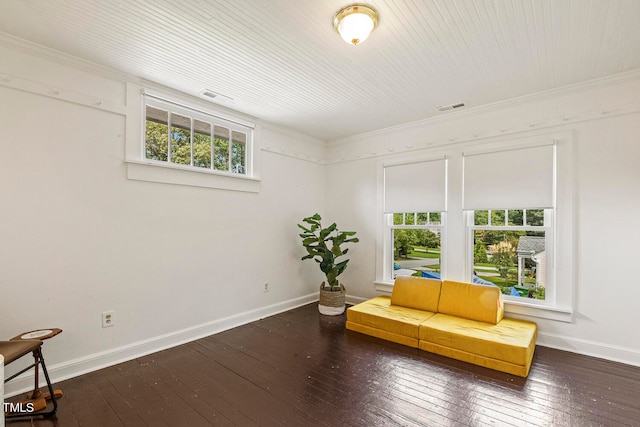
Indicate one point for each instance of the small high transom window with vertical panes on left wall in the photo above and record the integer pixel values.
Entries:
(177, 135)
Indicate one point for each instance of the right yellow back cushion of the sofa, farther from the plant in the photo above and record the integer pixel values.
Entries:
(475, 302)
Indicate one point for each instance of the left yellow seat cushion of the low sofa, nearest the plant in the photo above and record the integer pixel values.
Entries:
(379, 318)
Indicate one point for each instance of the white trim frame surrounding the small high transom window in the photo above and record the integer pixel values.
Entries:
(141, 169)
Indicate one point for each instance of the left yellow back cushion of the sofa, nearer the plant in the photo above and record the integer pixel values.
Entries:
(416, 292)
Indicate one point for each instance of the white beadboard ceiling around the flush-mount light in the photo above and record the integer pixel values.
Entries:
(281, 60)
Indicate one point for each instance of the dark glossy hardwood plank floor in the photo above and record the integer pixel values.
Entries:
(302, 369)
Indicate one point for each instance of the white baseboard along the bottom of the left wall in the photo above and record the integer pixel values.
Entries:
(96, 361)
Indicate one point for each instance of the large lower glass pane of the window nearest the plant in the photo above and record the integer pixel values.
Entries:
(416, 252)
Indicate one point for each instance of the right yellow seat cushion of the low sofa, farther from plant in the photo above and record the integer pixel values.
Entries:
(511, 340)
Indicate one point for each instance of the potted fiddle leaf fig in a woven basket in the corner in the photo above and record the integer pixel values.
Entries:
(325, 245)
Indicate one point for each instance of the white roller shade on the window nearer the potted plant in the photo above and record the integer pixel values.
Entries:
(416, 187)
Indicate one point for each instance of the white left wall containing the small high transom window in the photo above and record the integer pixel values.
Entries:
(175, 262)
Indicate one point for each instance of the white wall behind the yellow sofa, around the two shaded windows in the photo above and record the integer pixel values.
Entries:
(604, 119)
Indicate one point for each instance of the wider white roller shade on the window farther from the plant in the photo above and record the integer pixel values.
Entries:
(520, 178)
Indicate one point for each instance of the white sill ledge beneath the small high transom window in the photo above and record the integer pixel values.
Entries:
(179, 175)
